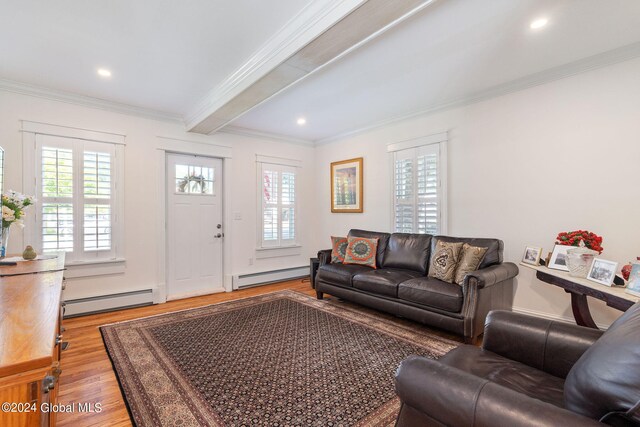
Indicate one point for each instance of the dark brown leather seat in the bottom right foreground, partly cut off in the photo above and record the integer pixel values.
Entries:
(529, 372)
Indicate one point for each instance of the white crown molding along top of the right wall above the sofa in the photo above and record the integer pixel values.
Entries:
(601, 60)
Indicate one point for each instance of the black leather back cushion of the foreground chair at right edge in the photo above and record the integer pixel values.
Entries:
(607, 376)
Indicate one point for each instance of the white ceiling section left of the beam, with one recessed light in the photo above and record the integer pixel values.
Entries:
(164, 54)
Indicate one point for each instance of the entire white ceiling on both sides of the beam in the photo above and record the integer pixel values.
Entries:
(168, 55)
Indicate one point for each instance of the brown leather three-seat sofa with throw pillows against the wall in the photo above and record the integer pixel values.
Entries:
(400, 284)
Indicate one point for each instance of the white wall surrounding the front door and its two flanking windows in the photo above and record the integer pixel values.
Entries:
(141, 196)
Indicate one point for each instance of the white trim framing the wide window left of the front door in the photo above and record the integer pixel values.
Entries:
(32, 172)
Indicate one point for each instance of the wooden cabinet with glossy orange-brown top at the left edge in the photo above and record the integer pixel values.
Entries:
(30, 341)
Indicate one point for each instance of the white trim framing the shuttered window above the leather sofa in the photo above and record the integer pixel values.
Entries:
(440, 140)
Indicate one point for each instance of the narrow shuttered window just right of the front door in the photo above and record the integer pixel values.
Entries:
(278, 205)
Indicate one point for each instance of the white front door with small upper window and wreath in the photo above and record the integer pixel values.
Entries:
(194, 226)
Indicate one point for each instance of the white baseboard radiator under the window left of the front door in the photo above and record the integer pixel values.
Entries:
(103, 303)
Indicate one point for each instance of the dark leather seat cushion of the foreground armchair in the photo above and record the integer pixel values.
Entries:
(508, 373)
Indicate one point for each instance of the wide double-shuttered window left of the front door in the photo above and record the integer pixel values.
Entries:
(77, 208)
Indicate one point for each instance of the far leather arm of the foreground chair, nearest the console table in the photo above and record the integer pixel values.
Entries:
(553, 347)
